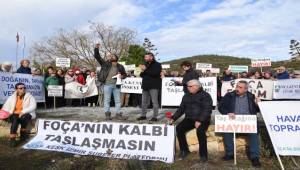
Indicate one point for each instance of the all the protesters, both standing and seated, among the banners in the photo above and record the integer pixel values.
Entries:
(196, 104)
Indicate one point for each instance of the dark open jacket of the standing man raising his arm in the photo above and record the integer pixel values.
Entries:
(105, 67)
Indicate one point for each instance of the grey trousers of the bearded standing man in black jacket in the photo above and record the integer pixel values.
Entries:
(146, 95)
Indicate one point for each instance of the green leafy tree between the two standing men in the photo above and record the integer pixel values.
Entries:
(136, 55)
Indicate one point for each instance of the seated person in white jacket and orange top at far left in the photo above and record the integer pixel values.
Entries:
(21, 106)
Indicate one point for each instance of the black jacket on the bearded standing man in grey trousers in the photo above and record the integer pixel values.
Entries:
(151, 76)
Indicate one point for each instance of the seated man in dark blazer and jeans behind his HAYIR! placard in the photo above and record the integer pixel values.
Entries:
(240, 102)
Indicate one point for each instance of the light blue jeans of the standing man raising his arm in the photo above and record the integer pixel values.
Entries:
(108, 90)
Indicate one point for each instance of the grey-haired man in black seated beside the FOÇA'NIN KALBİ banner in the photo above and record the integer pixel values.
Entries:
(197, 107)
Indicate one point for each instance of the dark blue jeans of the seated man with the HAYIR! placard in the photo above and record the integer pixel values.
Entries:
(253, 147)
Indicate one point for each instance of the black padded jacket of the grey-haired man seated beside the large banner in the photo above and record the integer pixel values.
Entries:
(195, 106)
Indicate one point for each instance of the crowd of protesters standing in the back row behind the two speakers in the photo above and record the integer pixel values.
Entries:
(53, 76)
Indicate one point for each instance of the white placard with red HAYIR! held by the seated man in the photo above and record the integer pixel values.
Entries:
(241, 124)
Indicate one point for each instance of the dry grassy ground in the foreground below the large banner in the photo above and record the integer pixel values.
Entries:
(18, 158)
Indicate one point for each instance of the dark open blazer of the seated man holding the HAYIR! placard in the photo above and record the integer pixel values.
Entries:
(227, 104)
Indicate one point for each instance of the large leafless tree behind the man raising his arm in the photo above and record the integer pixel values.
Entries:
(79, 45)
